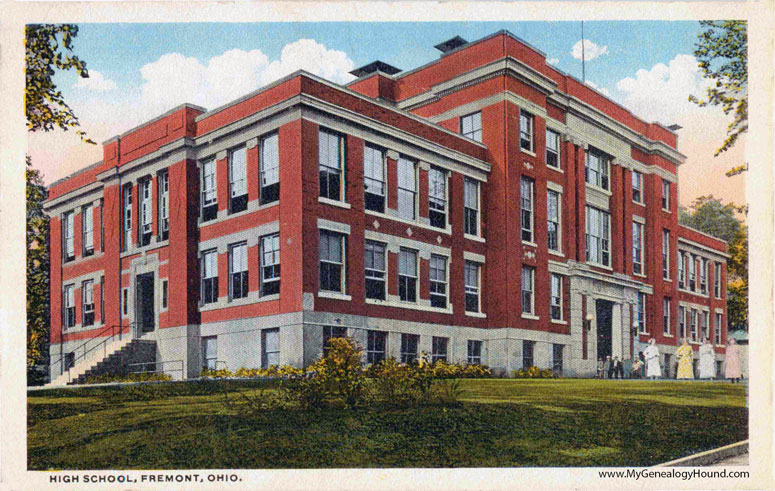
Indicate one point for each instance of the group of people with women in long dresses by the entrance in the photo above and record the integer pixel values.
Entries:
(647, 363)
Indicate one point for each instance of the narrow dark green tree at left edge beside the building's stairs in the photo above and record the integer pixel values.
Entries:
(37, 272)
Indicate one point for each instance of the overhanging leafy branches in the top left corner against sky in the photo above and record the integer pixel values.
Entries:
(49, 47)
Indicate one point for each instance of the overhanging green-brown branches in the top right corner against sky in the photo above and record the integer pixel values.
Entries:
(721, 51)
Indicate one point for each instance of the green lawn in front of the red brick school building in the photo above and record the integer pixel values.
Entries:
(499, 423)
